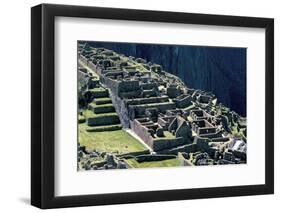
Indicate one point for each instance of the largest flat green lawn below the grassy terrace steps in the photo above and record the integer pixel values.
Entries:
(109, 141)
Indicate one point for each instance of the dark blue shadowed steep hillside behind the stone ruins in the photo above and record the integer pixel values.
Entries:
(216, 69)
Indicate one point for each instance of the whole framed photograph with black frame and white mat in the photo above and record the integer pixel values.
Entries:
(139, 106)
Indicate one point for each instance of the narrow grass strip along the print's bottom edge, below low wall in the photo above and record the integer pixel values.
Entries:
(149, 164)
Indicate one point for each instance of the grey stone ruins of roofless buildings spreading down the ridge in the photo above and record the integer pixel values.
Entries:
(167, 115)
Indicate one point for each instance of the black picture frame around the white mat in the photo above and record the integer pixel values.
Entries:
(43, 102)
